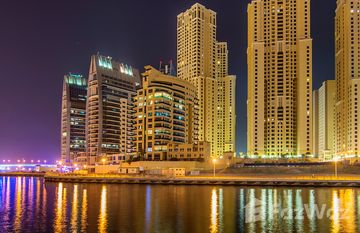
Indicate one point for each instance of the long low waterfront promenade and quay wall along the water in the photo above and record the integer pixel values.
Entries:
(279, 180)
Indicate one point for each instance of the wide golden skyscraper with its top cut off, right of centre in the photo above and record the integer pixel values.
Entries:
(279, 78)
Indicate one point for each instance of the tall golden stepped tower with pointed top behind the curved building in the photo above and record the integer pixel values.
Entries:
(202, 61)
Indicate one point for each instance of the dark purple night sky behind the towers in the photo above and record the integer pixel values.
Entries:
(40, 41)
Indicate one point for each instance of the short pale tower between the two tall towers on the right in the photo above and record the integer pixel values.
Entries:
(324, 120)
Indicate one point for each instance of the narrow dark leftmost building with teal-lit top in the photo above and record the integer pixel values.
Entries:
(73, 113)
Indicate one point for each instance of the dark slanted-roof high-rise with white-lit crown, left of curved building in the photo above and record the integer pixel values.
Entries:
(110, 117)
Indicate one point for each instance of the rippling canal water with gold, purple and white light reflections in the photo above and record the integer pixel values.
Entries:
(30, 205)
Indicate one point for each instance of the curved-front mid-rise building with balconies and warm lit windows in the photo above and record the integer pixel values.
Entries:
(166, 112)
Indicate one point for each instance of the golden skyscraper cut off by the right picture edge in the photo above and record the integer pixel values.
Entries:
(347, 67)
